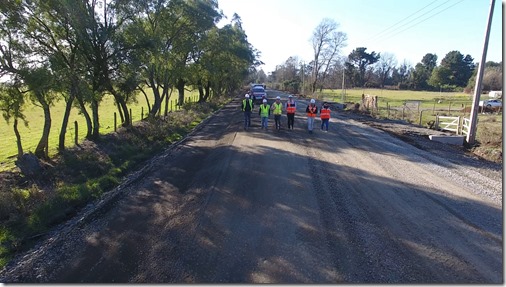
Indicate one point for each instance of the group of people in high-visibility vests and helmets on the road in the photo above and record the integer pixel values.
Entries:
(277, 108)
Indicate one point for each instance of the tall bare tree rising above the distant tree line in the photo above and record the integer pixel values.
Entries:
(327, 43)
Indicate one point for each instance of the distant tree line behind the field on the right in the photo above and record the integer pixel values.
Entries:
(330, 69)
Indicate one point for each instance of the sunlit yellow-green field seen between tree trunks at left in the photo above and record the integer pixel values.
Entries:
(30, 135)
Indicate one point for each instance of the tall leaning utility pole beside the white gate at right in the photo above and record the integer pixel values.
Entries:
(471, 136)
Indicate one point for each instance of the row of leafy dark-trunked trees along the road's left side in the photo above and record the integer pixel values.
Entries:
(78, 51)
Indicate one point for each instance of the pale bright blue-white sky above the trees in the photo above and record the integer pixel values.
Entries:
(407, 29)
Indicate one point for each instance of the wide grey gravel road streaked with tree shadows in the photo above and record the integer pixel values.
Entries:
(353, 205)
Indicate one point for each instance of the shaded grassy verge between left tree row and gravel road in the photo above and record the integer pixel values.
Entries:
(30, 207)
